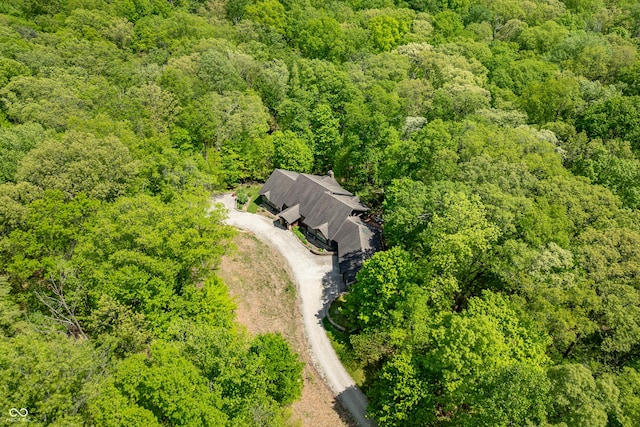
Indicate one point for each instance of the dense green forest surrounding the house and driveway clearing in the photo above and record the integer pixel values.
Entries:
(499, 141)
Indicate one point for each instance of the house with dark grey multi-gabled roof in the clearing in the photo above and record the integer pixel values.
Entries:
(329, 216)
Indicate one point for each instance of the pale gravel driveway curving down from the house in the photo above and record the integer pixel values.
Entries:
(317, 282)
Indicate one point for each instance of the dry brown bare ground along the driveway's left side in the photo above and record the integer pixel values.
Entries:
(258, 279)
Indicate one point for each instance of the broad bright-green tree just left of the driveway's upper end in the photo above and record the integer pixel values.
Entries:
(144, 253)
